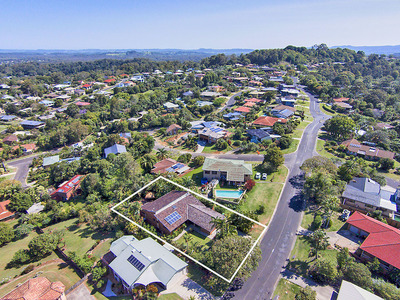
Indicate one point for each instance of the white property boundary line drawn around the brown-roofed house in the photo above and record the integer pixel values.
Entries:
(181, 252)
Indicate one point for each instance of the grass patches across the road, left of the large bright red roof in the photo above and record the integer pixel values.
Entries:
(300, 261)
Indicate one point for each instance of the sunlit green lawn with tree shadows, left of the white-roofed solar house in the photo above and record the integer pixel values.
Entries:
(78, 238)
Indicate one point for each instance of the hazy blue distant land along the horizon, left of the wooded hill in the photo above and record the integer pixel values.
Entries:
(93, 54)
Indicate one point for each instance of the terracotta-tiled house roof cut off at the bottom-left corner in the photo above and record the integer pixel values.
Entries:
(37, 288)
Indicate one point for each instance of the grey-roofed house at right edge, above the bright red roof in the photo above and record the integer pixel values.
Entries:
(365, 195)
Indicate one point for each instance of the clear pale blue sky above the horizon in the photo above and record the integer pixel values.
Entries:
(190, 24)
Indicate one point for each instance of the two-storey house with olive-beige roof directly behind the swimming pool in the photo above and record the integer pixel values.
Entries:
(230, 170)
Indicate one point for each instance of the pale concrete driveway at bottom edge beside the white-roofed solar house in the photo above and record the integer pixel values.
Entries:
(185, 287)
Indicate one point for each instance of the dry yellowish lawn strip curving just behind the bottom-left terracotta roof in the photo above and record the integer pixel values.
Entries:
(54, 272)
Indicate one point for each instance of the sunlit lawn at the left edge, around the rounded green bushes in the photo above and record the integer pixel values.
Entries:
(7, 253)
